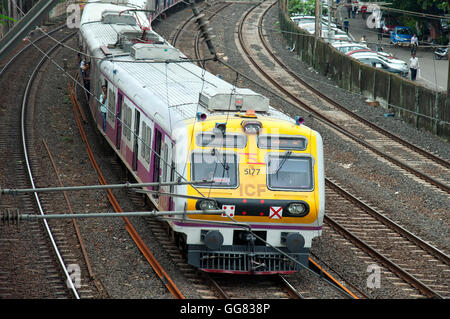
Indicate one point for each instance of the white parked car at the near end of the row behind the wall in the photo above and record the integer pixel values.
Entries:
(373, 59)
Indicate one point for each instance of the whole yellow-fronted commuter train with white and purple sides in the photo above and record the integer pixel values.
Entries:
(170, 120)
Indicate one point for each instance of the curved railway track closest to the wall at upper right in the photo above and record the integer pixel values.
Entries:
(424, 167)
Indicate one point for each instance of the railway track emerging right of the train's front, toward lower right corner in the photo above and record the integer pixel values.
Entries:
(408, 257)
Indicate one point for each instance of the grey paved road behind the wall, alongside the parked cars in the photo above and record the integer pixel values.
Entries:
(433, 73)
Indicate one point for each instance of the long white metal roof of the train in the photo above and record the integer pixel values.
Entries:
(170, 79)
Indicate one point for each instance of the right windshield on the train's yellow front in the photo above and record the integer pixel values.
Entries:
(290, 173)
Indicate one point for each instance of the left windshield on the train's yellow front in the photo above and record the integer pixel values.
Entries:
(213, 165)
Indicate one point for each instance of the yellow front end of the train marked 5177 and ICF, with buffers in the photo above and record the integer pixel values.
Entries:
(268, 177)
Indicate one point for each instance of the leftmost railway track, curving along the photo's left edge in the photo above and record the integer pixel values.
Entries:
(34, 244)
